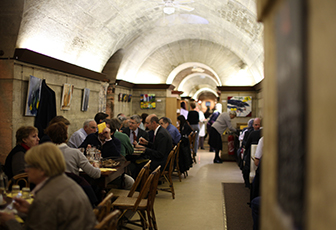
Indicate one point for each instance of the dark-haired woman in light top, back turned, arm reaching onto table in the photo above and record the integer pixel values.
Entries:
(74, 158)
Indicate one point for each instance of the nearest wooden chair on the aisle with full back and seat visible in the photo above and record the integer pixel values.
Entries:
(143, 204)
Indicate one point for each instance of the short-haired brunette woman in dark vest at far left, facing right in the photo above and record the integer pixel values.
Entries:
(26, 137)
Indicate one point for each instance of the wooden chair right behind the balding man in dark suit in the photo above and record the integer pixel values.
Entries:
(166, 173)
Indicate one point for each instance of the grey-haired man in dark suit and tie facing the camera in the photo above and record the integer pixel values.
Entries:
(134, 132)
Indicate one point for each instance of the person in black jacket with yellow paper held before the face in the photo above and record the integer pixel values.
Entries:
(105, 142)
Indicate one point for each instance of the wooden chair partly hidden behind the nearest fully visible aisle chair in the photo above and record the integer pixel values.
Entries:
(140, 180)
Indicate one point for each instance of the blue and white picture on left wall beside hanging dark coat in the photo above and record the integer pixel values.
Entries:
(33, 96)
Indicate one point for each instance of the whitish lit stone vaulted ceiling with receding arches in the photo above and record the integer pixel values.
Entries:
(222, 37)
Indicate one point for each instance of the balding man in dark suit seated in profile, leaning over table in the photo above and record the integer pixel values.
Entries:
(162, 144)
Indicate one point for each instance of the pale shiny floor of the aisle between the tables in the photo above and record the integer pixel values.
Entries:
(198, 202)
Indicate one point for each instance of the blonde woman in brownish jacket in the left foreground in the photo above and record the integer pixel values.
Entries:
(58, 198)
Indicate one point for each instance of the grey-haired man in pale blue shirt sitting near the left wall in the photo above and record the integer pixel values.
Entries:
(77, 138)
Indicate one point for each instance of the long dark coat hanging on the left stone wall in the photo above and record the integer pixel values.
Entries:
(46, 110)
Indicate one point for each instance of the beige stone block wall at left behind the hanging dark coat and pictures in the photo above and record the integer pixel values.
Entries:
(14, 86)
